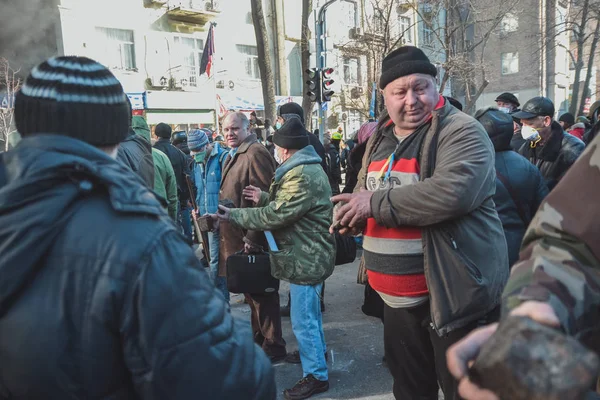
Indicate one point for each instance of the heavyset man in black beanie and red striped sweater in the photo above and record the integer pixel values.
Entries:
(434, 247)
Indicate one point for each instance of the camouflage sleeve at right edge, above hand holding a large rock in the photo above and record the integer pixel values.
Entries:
(560, 257)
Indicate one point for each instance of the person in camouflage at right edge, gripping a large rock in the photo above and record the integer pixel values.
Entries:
(557, 279)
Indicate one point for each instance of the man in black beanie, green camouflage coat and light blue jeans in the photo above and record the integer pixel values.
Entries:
(297, 210)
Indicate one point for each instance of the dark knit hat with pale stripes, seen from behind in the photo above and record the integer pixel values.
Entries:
(76, 97)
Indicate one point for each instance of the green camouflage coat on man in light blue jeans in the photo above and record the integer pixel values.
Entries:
(298, 211)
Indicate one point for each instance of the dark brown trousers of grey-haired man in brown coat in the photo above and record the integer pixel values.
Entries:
(266, 322)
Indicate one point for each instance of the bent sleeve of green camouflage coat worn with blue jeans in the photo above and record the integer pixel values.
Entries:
(292, 201)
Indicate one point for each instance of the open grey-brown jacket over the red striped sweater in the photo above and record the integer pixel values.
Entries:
(464, 250)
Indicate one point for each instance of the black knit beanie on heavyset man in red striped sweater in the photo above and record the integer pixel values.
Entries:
(404, 61)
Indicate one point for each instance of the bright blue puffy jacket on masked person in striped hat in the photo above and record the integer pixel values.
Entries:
(207, 178)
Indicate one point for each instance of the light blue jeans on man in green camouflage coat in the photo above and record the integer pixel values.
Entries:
(307, 324)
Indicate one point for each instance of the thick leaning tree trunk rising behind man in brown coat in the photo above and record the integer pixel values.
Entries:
(264, 55)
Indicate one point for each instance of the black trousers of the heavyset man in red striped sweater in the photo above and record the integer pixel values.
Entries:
(416, 355)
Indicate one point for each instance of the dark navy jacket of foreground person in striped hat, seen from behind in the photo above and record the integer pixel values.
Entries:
(100, 296)
